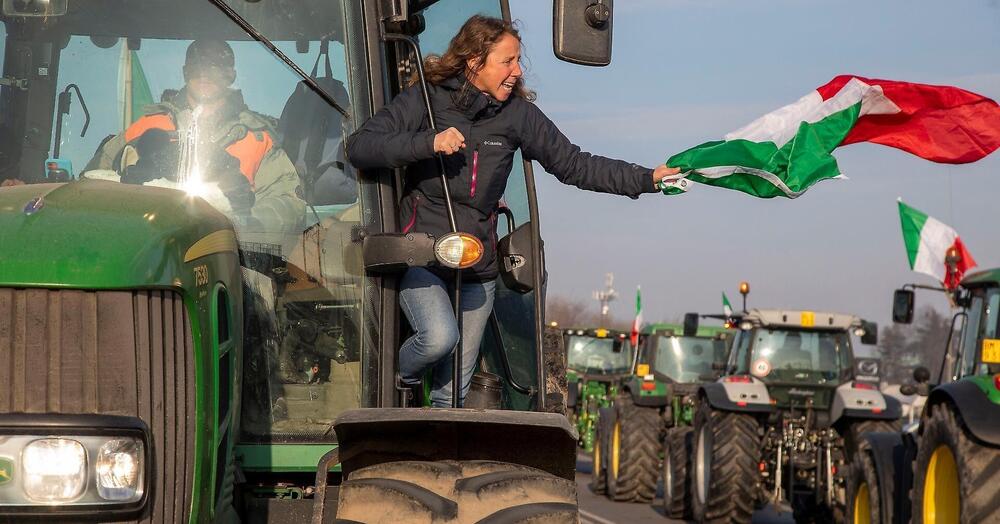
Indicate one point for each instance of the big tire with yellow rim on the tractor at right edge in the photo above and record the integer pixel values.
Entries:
(956, 478)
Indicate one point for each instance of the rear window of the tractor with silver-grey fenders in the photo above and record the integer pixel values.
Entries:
(800, 356)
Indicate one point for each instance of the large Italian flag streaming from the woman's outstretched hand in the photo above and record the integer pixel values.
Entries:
(783, 153)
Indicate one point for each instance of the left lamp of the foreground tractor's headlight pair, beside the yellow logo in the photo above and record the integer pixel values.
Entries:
(55, 470)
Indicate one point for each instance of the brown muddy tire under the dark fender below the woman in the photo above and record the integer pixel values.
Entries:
(459, 492)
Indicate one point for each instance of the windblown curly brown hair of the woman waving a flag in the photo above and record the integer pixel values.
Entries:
(474, 40)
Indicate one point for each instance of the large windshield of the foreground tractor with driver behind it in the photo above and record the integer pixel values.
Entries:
(120, 91)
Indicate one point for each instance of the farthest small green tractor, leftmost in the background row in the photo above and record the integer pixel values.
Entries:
(596, 361)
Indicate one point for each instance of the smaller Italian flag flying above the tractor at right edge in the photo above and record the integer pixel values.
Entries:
(928, 243)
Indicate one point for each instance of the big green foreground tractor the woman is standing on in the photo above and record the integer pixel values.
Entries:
(168, 362)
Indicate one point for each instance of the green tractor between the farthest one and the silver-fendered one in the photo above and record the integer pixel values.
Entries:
(654, 400)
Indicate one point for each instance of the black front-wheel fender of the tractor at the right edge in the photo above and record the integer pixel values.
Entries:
(892, 455)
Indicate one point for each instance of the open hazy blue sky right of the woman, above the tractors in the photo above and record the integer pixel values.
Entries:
(688, 71)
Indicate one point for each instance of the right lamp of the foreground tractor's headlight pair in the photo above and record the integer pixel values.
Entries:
(119, 470)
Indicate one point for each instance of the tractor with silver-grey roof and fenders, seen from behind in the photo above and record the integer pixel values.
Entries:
(786, 418)
